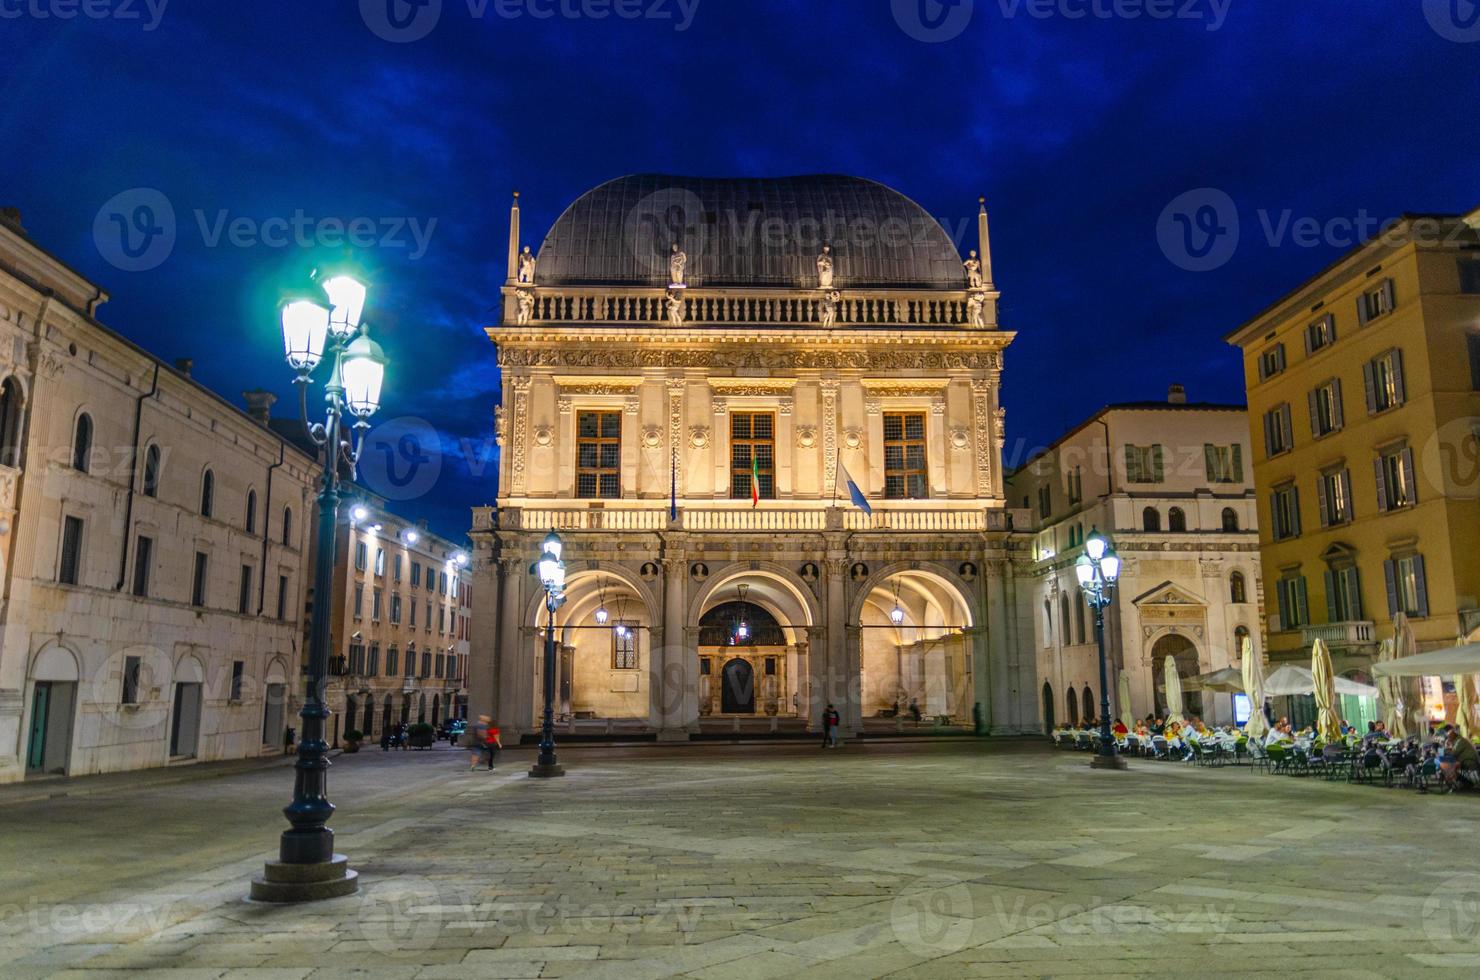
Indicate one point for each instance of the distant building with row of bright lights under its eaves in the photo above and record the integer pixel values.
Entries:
(400, 622)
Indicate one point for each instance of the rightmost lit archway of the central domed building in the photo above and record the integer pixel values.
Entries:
(915, 649)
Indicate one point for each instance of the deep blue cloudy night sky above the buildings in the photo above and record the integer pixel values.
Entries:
(1081, 131)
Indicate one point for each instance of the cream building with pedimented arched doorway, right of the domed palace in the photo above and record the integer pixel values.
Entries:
(1171, 485)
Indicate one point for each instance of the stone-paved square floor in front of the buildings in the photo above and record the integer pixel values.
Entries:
(906, 859)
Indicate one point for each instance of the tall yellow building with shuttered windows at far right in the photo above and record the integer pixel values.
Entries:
(1365, 400)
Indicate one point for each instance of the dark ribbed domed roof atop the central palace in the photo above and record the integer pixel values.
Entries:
(748, 232)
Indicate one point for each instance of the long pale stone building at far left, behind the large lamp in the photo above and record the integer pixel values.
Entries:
(153, 543)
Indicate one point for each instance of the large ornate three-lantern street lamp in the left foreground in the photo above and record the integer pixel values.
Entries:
(307, 868)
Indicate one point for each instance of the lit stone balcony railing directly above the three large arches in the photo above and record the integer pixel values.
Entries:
(761, 520)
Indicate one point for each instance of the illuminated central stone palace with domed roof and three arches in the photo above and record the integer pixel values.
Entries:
(634, 409)
